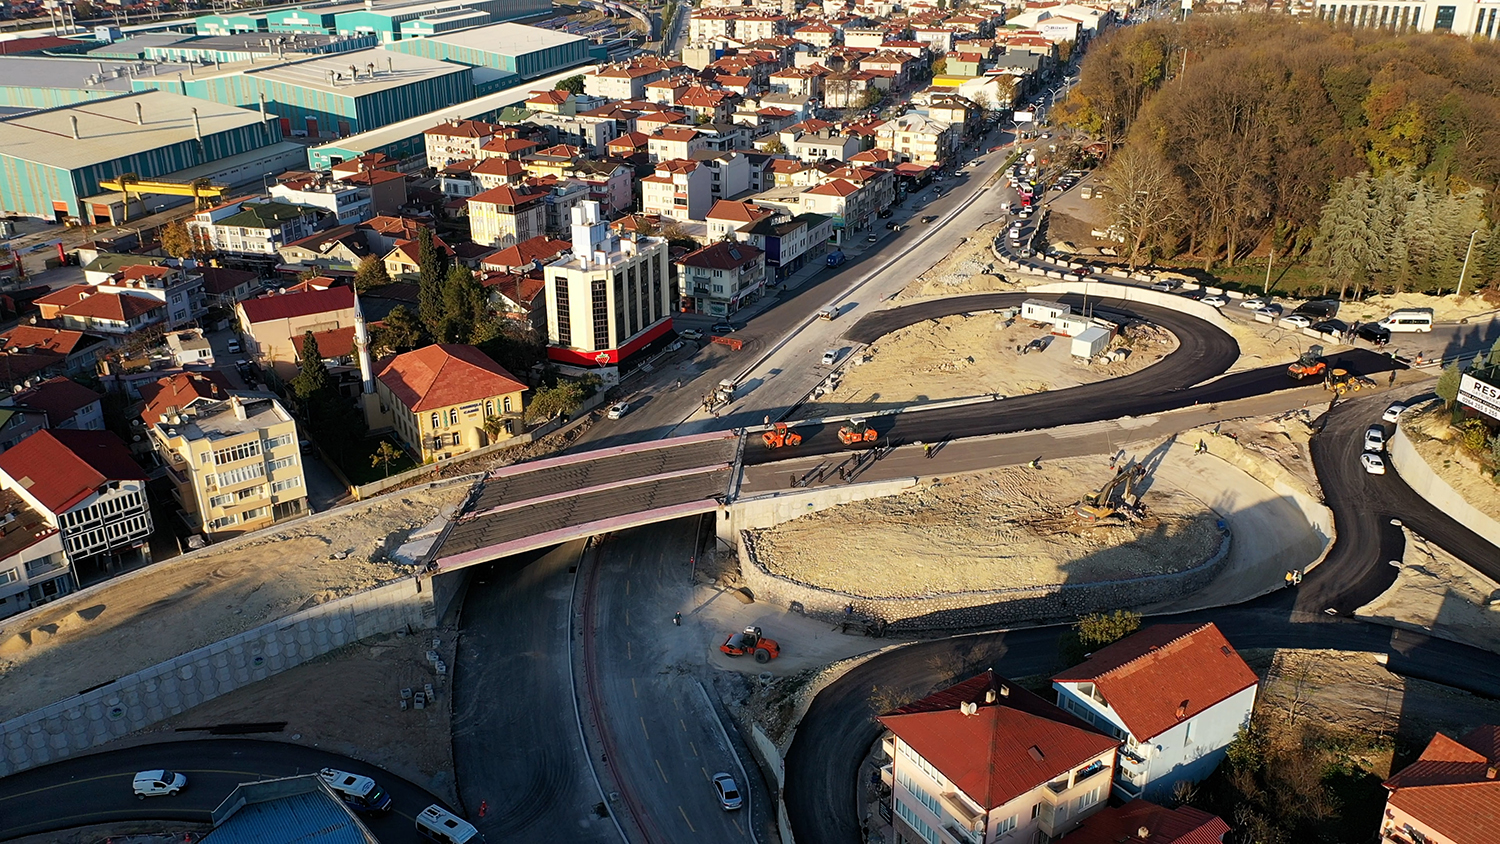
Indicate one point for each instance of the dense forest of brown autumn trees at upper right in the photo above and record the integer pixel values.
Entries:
(1372, 157)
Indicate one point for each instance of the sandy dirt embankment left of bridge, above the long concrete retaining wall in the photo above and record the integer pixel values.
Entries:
(172, 608)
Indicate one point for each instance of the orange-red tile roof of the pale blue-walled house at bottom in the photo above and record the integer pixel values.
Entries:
(1163, 675)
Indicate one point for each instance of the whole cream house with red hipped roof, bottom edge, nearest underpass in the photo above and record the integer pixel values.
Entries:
(989, 761)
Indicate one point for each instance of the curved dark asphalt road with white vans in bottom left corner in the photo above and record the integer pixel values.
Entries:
(97, 789)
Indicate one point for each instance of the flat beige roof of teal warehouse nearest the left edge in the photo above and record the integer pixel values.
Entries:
(109, 130)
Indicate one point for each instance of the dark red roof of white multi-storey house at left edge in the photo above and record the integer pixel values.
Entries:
(61, 468)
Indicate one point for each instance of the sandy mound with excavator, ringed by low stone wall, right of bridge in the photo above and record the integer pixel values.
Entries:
(997, 530)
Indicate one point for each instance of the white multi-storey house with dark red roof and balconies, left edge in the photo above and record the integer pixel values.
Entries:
(86, 485)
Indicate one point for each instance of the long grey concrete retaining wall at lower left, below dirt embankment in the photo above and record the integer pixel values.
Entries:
(164, 690)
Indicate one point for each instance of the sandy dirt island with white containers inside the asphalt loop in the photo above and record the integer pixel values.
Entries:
(961, 356)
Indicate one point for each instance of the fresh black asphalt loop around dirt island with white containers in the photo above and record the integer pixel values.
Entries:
(1178, 382)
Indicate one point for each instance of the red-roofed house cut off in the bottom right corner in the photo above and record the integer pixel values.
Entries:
(1450, 795)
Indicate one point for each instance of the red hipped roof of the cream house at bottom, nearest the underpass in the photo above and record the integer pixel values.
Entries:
(1013, 743)
